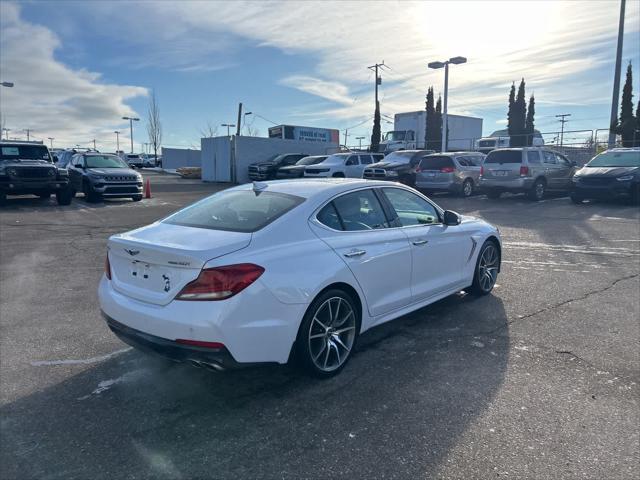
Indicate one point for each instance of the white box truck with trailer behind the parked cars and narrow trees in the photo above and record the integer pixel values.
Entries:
(409, 132)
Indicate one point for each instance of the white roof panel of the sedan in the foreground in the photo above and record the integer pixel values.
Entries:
(313, 187)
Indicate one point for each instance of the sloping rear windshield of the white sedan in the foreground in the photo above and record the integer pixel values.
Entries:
(236, 211)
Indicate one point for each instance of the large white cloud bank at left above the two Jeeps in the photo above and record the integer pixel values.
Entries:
(51, 99)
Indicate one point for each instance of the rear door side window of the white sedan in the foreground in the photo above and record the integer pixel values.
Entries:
(360, 210)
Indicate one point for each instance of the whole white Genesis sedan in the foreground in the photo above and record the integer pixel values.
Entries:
(291, 269)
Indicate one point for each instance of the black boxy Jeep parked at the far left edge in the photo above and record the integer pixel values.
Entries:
(27, 168)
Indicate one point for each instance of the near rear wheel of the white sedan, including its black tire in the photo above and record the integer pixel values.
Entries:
(328, 334)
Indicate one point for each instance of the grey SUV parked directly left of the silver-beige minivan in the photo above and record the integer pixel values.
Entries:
(455, 172)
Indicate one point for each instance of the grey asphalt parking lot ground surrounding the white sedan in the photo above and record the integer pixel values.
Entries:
(538, 380)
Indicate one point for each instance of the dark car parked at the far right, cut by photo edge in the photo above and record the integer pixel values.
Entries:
(611, 174)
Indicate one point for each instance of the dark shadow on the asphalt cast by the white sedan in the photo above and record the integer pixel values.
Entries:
(396, 411)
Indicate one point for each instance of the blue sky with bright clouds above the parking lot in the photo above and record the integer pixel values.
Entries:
(80, 66)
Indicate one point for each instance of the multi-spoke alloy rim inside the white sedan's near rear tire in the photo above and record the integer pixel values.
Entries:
(332, 334)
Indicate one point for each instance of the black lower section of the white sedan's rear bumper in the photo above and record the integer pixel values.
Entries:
(216, 358)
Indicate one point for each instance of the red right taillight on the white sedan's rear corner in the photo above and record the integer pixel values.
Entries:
(220, 283)
